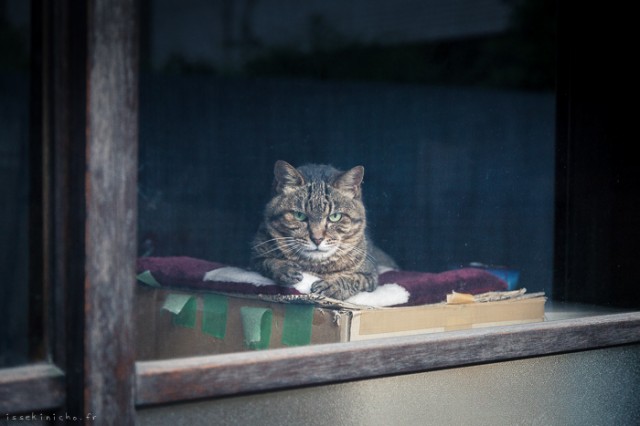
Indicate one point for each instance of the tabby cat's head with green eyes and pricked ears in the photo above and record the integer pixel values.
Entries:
(316, 211)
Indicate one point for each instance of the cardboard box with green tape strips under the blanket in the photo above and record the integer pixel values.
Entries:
(173, 324)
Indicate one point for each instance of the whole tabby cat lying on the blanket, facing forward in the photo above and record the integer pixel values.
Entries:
(315, 223)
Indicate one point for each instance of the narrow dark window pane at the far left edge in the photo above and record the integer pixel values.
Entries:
(14, 175)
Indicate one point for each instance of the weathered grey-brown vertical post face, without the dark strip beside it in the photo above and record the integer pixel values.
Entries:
(111, 215)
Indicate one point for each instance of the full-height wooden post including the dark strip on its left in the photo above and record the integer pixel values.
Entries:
(90, 95)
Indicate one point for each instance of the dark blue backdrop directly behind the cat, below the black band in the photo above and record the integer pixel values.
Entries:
(452, 175)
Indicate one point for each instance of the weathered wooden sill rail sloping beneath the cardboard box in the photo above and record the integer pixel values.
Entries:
(232, 374)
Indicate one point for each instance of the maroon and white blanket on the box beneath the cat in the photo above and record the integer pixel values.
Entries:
(396, 288)
